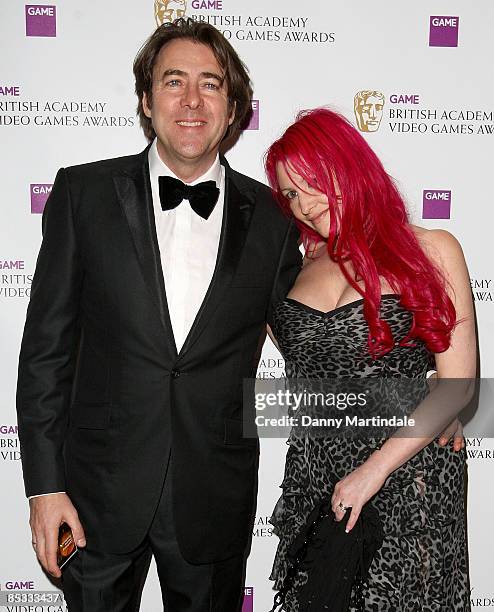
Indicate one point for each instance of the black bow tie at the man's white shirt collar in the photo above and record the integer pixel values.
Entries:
(202, 197)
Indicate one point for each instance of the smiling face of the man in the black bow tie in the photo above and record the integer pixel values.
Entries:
(189, 107)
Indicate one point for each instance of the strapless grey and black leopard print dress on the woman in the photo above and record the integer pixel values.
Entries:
(423, 563)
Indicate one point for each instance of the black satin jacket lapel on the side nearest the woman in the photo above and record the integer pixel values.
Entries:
(236, 219)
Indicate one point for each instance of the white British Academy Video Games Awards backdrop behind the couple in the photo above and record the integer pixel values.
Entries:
(415, 79)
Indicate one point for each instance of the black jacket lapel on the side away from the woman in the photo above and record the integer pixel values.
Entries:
(133, 189)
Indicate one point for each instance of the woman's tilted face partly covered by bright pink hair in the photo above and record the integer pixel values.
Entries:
(306, 203)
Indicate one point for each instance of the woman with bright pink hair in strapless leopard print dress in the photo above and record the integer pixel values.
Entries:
(376, 296)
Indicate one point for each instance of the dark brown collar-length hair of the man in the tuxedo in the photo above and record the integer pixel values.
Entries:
(236, 76)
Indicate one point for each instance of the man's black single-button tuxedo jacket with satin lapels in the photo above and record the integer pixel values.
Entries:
(103, 395)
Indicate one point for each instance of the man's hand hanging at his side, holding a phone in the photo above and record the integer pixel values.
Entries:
(48, 512)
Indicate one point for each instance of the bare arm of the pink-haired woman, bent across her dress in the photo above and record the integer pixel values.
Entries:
(457, 362)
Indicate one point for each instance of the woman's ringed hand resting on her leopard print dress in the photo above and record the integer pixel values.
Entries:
(355, 489)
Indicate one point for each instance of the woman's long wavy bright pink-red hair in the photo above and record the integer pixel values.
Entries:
(370, 229)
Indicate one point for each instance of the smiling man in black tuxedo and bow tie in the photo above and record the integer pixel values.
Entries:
(148, 305)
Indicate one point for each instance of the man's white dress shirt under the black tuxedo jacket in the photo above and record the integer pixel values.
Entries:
(188, 247)
